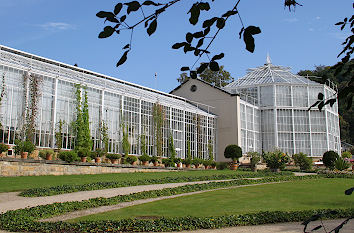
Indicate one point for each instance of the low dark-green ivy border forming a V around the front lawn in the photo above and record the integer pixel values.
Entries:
(25, 219)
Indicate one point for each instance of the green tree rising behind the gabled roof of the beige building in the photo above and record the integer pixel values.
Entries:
(217, 78)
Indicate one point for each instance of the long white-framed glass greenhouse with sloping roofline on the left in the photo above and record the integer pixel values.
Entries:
(43, 94)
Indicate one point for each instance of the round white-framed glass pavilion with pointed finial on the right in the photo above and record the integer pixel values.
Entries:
(274, 112)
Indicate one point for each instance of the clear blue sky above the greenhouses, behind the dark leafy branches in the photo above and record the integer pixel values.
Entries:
(67, 31)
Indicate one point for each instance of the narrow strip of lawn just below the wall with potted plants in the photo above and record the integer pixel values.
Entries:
(10, 184)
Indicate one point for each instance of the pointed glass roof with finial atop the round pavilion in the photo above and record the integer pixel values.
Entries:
(269, 73)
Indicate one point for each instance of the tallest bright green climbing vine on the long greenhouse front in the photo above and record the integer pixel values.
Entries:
(82, 123)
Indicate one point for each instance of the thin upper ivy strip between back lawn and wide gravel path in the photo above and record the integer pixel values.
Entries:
(55, 190)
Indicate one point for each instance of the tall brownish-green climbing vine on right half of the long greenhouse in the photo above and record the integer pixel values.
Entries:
(159, 118)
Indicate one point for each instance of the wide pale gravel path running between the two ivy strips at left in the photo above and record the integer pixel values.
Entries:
(11, 201)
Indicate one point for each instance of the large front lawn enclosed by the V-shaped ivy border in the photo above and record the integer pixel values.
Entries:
(297, 195)
